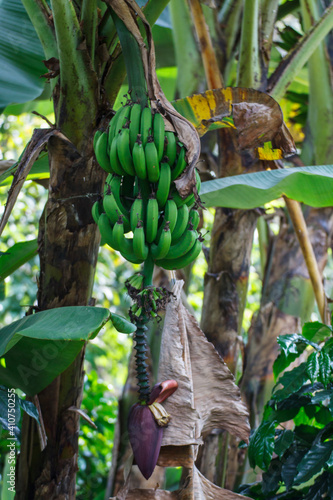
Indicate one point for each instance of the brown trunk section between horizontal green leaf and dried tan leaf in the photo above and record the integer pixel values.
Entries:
(226, 280)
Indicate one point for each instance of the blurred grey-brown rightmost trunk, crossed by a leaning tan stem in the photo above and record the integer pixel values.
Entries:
(287, 299)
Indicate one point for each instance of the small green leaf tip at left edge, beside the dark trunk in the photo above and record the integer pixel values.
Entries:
(16, 256)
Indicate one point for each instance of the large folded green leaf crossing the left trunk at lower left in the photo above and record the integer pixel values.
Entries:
(37, 348)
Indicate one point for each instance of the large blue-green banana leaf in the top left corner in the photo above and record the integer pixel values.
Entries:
(21, 56)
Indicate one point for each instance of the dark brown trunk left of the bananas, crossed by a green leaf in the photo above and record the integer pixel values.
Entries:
(68, 249)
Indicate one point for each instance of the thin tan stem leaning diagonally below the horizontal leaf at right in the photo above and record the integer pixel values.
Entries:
(302, 234)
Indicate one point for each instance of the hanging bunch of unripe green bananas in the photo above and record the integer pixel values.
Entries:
(142, 214)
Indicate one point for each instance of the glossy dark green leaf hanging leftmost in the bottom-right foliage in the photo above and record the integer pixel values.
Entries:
(261, 445)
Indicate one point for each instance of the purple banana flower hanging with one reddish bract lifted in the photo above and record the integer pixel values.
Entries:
(145, 427)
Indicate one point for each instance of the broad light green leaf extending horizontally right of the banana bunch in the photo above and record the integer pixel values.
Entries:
(310, 185)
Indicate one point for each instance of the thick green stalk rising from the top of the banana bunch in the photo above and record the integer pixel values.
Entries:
(133, 62)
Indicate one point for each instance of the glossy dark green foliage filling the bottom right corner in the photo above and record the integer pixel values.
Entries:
(298, 462)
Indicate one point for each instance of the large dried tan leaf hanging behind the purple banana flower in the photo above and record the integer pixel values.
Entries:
(207, 397)
